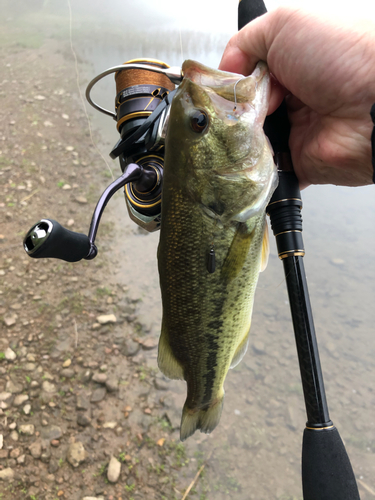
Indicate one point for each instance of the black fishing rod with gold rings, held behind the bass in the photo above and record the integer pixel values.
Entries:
(327, 473)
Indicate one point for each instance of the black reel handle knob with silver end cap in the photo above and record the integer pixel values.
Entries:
(47, 238)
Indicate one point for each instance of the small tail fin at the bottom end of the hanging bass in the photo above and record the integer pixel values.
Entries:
(206, 420)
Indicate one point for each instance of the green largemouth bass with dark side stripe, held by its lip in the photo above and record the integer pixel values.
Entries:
(219, 175)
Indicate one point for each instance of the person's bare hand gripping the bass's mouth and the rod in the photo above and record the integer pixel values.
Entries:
(327, 73)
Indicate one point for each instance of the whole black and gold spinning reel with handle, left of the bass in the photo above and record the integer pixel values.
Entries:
(144, 92)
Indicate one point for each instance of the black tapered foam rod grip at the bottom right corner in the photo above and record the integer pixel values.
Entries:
(326, 470)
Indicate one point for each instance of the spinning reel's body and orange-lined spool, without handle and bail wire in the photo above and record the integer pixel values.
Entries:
(139, 92)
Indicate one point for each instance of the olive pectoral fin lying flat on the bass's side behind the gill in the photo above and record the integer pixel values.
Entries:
(237, 252)
